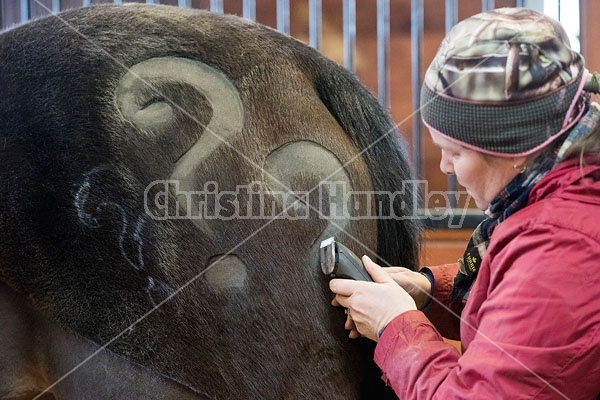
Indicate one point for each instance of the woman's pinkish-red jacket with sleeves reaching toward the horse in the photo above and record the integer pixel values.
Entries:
(531, 326)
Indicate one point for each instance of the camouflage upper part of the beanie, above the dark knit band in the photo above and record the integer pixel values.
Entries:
(505, 54)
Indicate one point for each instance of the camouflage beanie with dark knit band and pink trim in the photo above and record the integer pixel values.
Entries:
(504, 82)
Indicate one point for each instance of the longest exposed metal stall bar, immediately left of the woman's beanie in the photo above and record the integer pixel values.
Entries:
(416, 40)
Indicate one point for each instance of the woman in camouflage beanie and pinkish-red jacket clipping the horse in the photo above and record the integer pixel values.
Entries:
(508, 103)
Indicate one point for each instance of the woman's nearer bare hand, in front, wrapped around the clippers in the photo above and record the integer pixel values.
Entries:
(371, 306)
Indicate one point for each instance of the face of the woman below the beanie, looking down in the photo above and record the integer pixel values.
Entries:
(483, 176)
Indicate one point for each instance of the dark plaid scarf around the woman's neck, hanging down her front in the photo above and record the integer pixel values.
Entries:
(510, 200)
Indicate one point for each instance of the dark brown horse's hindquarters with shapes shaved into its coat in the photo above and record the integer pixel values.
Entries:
(167, 177)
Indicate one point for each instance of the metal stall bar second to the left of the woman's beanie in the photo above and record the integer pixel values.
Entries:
(383, 51)
